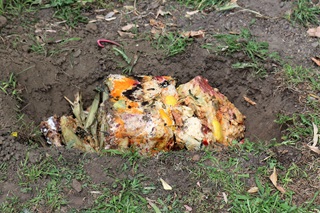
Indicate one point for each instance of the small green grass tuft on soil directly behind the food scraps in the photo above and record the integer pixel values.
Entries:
(172, 43)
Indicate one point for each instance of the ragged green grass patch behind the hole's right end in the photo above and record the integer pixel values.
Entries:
(256, 52)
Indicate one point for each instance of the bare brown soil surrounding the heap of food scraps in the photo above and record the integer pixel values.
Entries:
(63, 68)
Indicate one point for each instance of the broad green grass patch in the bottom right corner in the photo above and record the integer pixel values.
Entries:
(230, 177)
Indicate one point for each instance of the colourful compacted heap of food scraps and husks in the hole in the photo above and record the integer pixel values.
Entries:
(149, 114)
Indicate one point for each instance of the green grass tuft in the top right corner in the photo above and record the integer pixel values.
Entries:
(305, 13)
